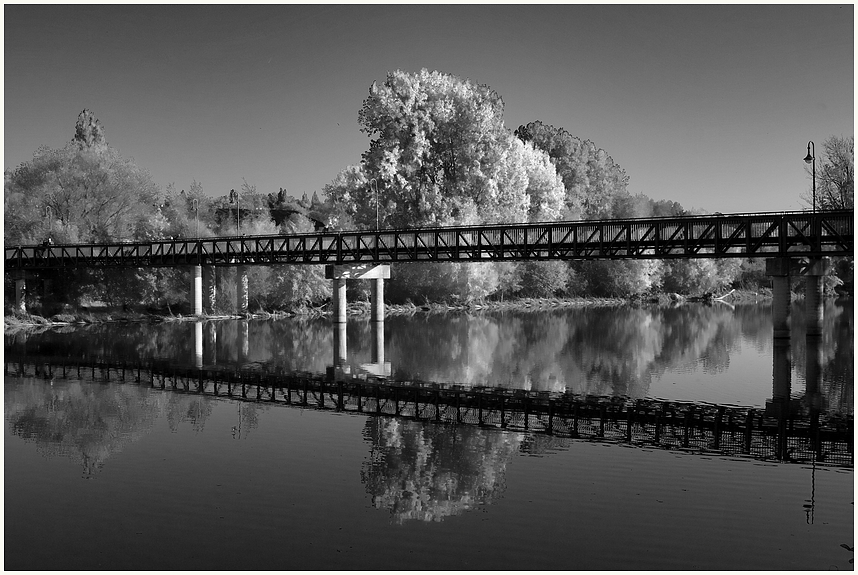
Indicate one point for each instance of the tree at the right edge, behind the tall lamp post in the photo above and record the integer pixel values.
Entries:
(835, 175)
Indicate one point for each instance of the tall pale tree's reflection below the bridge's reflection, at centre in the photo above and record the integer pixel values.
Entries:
(426, 471)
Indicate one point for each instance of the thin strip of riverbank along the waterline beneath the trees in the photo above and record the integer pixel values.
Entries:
(96, 315)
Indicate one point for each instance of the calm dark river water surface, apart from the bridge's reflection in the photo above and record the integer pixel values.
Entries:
(121, 476)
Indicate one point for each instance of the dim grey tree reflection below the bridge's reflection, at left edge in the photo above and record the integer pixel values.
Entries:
(90, 422)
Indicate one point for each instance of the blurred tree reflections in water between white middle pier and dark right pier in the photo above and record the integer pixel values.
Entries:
(599, 351)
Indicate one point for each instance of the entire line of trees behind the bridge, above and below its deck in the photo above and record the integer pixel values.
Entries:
(439, 154)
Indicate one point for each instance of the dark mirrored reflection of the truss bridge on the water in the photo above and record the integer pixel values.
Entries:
(697, 428)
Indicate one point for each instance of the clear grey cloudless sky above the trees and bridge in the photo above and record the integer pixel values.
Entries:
(710, 106)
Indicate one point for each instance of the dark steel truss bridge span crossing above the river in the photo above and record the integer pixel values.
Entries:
(782, 234)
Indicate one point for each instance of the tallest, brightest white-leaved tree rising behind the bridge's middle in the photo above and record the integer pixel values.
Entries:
(439, 152)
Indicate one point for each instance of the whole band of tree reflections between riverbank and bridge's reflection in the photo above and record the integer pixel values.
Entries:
(589, 350)
